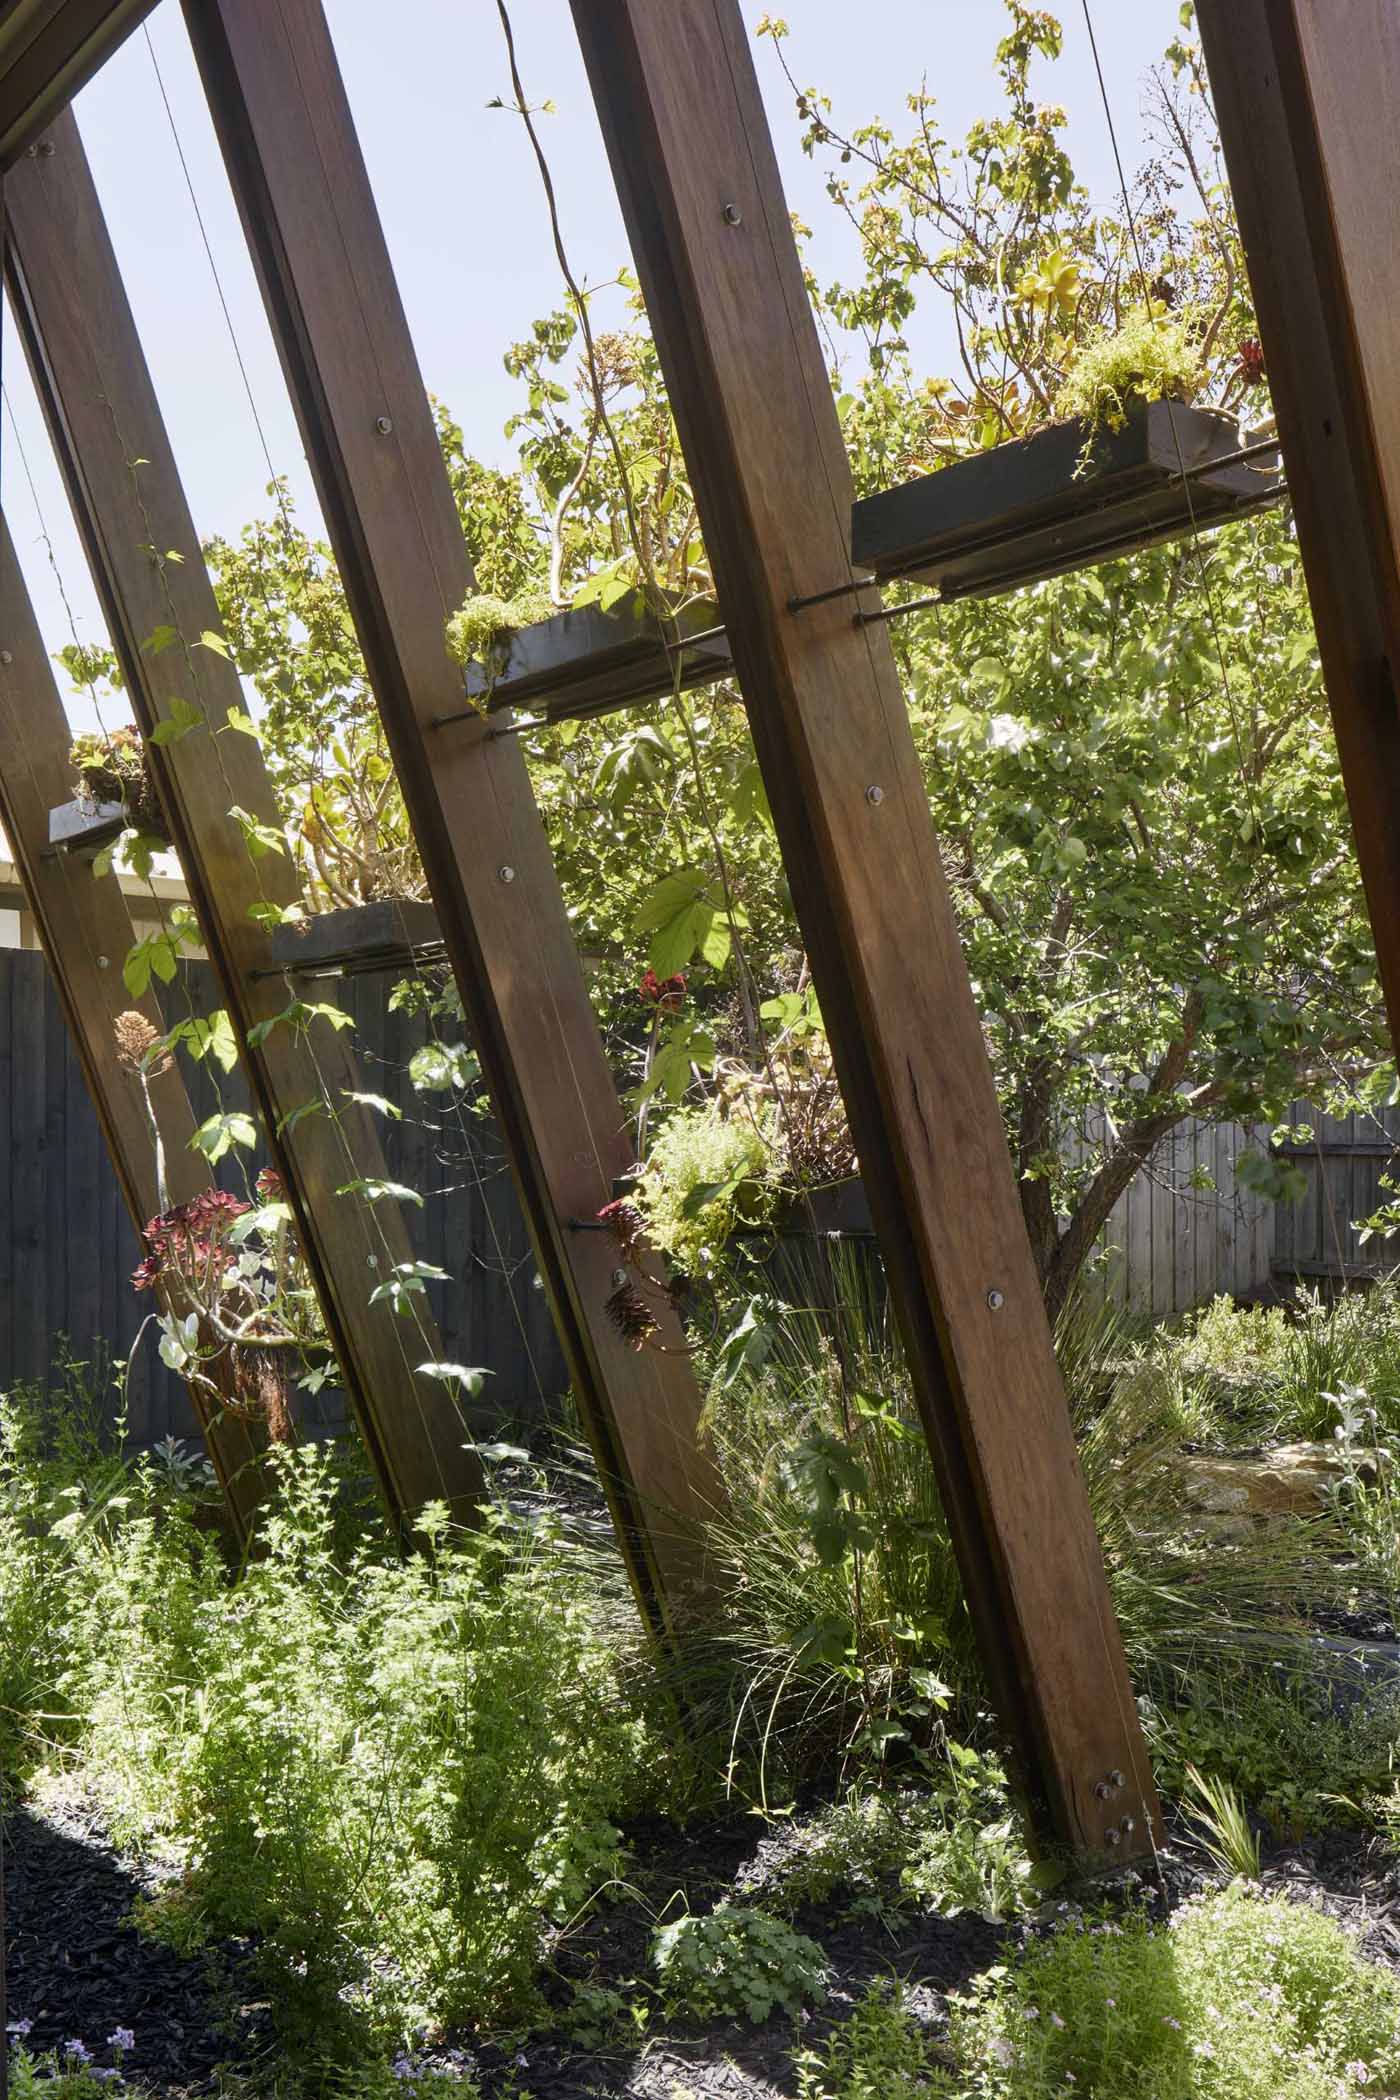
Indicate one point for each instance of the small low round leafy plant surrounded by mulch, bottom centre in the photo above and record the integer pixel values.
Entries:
(738, 1965)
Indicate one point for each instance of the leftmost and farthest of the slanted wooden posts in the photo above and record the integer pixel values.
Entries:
(85, 931)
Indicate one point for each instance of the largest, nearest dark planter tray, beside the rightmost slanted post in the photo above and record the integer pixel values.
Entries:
(1061, 501)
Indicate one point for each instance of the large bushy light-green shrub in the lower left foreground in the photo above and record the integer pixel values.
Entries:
(389, 1771)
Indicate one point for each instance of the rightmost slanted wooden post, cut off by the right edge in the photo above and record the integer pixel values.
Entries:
(1307, 96)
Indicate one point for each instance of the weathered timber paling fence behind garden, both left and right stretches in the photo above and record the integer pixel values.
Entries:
(68, 1246)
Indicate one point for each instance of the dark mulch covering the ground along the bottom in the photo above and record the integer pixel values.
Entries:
(77, 1969)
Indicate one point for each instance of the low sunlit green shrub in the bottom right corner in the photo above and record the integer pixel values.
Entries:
(1239, 1998)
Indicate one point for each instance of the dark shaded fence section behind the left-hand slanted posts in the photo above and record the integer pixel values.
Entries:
(68, 1246)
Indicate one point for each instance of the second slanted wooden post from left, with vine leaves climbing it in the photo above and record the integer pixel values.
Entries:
(150, 574)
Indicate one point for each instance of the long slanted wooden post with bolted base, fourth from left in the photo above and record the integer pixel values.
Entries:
(713, 240)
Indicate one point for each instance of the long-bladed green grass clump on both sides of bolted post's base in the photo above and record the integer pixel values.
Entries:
(839, 1591)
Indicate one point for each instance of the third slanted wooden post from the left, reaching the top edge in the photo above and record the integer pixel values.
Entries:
(295, 163)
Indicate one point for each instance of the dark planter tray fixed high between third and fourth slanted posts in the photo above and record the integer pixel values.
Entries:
(591, 663)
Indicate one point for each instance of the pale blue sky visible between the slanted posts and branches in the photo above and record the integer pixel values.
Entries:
(463, 209)
